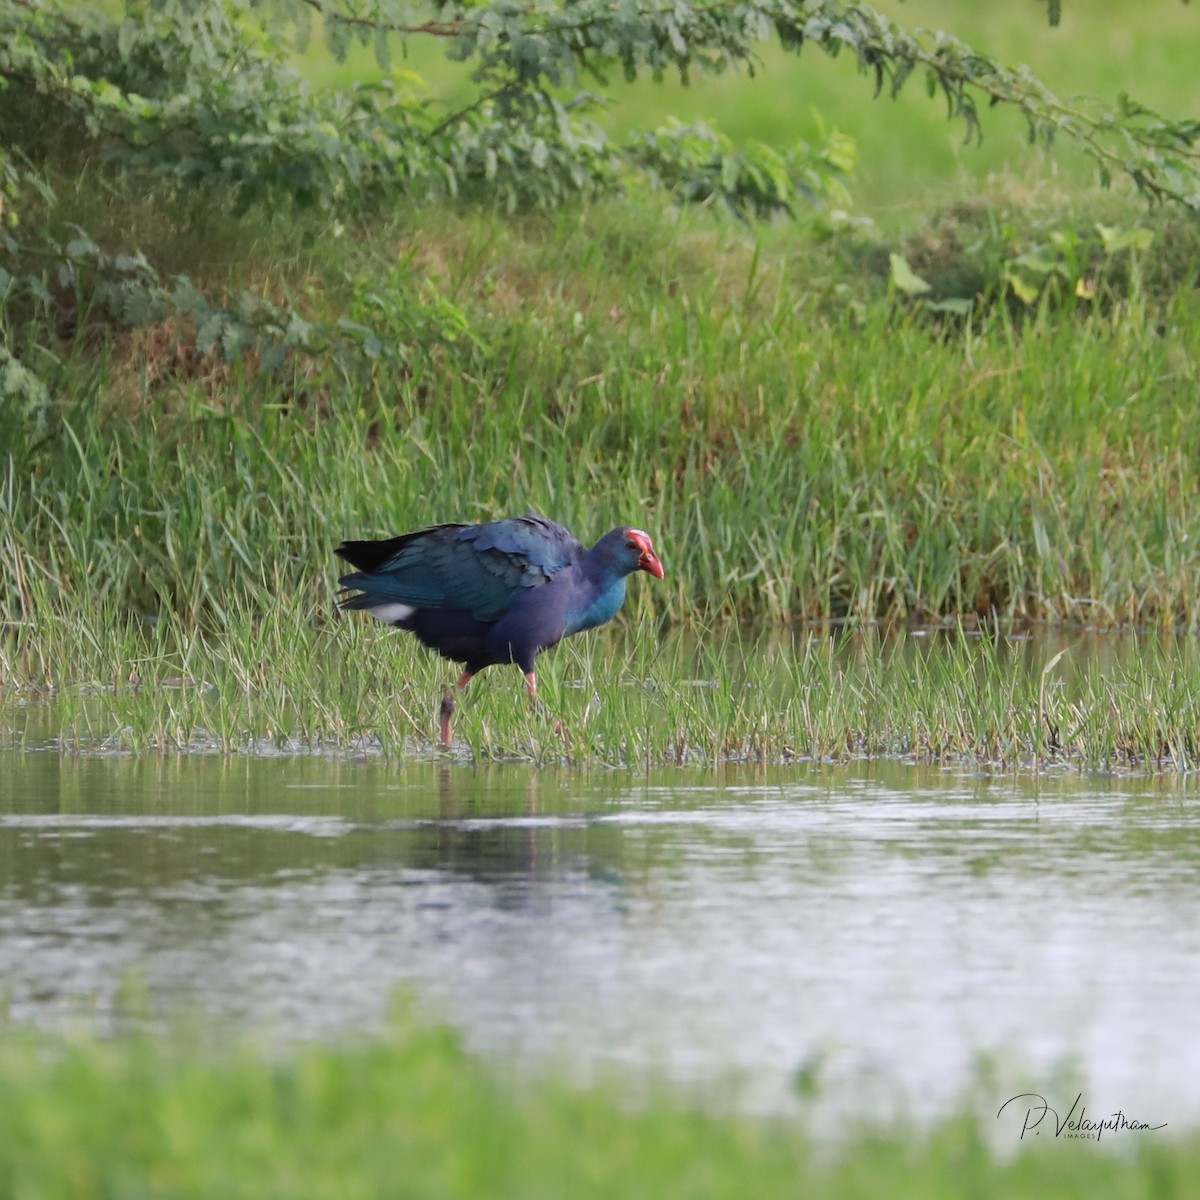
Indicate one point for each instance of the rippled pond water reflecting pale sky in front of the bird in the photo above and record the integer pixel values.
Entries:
(874, 929)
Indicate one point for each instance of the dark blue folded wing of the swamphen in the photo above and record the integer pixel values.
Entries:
(477, 569)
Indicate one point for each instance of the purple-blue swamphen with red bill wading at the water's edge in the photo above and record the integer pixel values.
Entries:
(500, 592)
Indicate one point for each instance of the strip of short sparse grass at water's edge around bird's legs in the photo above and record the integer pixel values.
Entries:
(290, 680)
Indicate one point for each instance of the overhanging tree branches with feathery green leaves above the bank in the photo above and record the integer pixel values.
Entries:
(199, 94)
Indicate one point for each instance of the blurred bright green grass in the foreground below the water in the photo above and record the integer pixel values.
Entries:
(412, 1115)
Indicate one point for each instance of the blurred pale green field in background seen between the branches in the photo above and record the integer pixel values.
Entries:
(909, 151)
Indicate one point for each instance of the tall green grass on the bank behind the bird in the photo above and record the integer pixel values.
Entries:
(796, 453)
